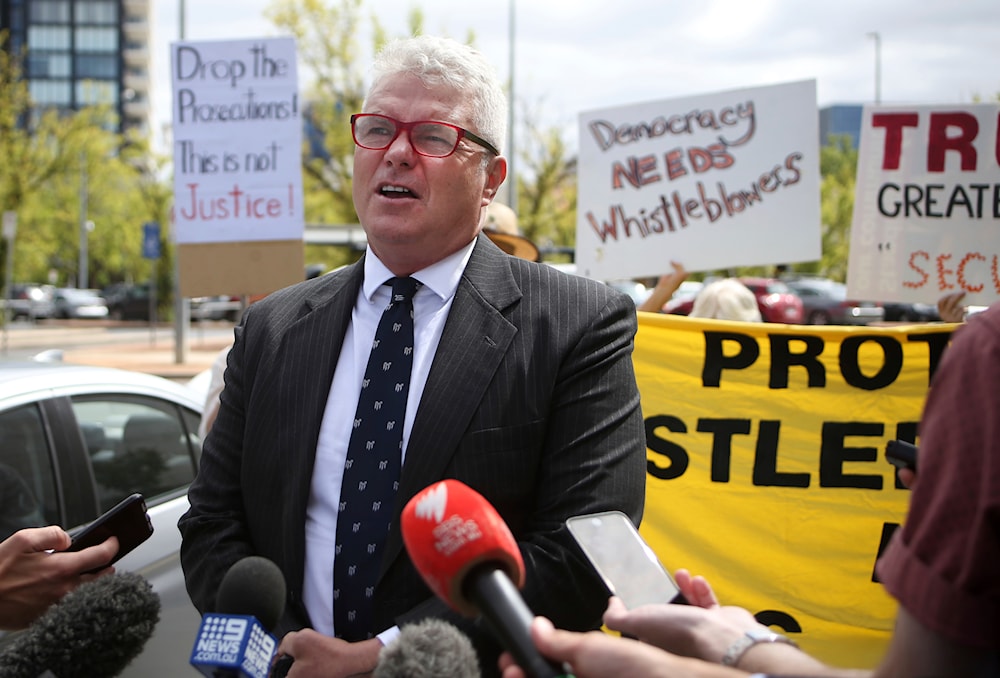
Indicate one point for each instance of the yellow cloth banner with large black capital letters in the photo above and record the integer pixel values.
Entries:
(766, 469)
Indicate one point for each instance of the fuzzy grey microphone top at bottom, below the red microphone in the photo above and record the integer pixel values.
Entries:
(428, 649)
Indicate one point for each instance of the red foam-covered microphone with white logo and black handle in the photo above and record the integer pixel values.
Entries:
(467, 555)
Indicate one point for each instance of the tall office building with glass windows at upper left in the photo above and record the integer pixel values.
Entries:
(84, 52)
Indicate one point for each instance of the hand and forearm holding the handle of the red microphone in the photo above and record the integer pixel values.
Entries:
(598, 655)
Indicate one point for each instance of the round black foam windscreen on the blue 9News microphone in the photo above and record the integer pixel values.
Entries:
(253, 586)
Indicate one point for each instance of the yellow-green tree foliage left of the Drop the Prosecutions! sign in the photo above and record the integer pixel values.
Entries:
(62, 169)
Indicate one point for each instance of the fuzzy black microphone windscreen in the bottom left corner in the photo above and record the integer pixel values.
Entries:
(95, 630)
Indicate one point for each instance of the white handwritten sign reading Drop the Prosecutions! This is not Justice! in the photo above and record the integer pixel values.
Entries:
(237, 141)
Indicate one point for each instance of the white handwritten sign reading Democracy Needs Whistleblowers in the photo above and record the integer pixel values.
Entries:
(714, 181)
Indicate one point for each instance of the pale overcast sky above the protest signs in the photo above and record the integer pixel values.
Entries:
(578, 55)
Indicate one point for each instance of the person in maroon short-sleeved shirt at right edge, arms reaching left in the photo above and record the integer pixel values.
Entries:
(941, 565)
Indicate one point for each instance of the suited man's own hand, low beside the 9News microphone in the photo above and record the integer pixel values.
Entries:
(316, 655)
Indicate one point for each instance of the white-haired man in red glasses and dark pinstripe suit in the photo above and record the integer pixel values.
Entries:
(522, 383)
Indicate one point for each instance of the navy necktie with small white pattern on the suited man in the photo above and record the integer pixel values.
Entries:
(371, 471)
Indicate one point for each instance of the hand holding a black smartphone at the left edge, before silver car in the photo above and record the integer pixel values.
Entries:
(34, 573)
